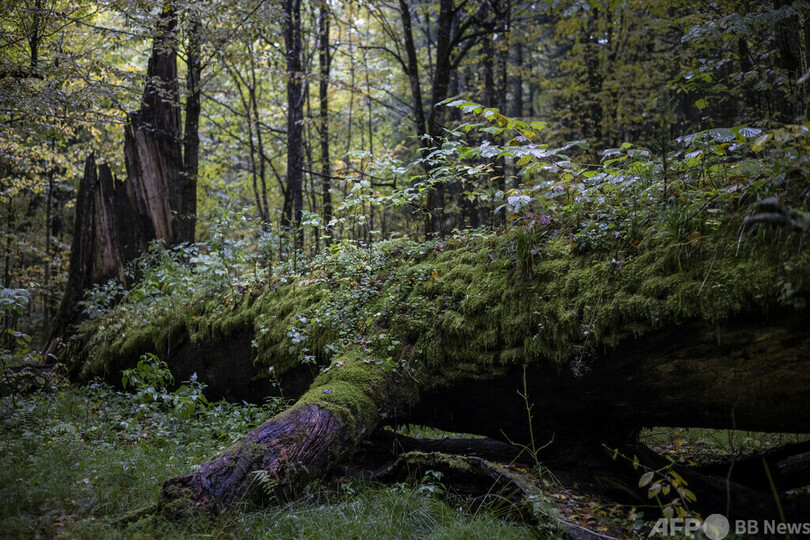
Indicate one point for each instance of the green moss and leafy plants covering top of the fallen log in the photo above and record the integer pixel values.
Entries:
(592, 255)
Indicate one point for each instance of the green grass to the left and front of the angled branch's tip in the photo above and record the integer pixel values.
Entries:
(75, 461)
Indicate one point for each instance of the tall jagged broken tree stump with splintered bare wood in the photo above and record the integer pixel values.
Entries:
(115, 221)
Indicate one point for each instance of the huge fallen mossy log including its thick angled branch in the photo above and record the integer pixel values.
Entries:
(440, 333)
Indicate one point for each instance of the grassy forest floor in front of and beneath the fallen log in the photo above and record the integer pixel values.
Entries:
(79, 462)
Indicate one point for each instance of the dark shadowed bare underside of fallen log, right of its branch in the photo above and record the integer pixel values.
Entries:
(751, 374)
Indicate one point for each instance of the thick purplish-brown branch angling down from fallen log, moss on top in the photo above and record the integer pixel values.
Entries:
(309, 440)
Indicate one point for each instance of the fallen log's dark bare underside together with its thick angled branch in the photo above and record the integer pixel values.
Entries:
(750, 375)
